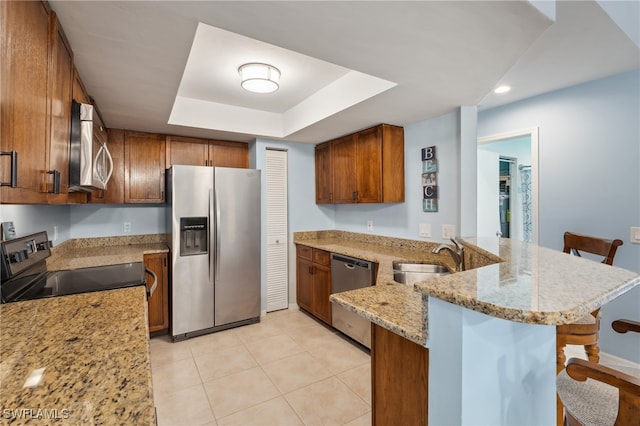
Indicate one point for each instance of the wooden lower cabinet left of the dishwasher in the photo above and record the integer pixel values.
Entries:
(313, 281)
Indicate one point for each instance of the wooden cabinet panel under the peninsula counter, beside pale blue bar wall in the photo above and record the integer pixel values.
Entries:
(399, 394)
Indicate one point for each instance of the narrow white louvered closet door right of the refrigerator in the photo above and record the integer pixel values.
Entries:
(277, 235)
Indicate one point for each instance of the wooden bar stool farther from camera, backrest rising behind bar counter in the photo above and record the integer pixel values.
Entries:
(585, 330)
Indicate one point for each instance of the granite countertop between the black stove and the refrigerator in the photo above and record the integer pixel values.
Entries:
(90, 252)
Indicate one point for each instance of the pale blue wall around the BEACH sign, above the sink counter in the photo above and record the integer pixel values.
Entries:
(402, 220)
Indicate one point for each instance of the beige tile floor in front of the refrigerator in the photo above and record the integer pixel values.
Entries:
(286, 370)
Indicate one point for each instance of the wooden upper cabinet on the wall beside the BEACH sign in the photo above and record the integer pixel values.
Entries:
(365, 167)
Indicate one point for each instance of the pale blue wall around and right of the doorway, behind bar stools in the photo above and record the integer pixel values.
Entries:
(589, 179)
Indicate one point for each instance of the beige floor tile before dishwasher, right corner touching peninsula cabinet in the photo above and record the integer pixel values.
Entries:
(338, 355)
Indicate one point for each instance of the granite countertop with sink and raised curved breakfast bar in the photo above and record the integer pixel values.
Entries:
(505, 279)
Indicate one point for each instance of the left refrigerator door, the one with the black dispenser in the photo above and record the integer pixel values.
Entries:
(192, 275)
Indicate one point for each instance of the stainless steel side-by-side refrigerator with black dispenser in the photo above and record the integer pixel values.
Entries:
(214, 216)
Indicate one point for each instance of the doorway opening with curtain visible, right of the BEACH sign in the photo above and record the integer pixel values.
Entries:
(507, 185)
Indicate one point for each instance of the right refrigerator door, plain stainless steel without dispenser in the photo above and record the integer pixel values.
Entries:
(237, 244)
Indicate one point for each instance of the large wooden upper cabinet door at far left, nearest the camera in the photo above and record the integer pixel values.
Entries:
(25, 106)
